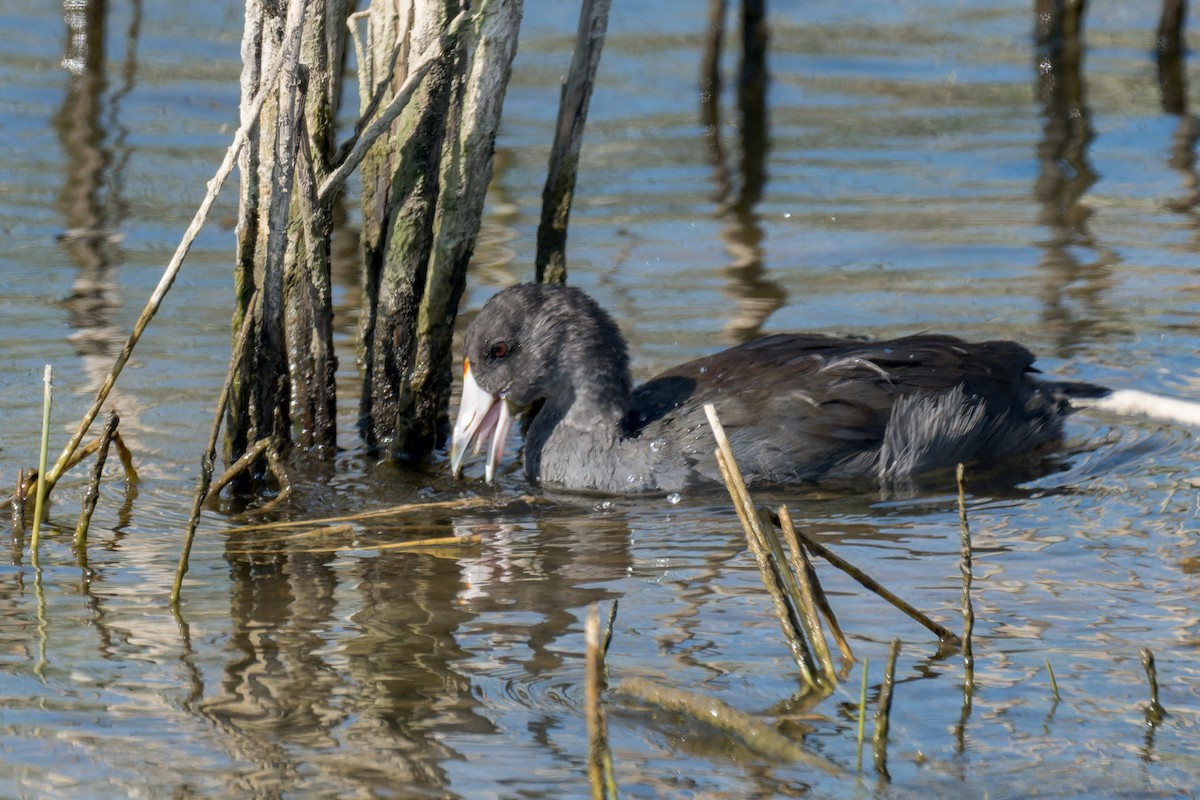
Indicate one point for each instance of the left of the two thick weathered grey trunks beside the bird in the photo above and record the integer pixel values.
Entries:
(285, 393)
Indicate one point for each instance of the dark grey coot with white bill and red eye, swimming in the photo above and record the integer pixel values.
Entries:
(797, 408)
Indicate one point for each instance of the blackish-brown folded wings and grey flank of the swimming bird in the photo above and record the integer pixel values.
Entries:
(803, 408)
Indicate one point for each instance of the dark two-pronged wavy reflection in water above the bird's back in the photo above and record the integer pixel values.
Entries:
(757, 297)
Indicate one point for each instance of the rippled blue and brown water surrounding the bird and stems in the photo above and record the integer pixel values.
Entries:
(915, 181)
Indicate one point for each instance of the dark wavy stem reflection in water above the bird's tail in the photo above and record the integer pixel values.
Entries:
(1065, 178)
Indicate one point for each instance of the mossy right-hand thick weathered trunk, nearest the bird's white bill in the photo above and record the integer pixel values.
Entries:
(423, 200)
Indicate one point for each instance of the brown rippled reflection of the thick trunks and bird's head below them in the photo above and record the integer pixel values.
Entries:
(431, 646)
